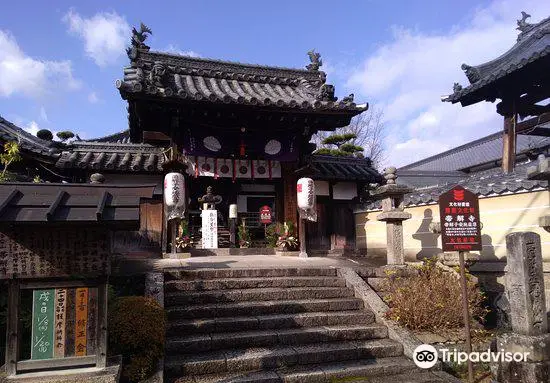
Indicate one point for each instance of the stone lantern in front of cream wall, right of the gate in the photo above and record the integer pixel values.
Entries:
(393, 214)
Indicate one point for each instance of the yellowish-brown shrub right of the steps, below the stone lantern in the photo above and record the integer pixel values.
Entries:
(431, 300)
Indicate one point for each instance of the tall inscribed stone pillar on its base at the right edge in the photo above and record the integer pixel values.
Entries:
(525, 289)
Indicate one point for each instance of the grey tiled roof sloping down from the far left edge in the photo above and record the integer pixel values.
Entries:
(27, 142)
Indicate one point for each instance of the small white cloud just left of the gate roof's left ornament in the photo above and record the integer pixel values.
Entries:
(105, 35)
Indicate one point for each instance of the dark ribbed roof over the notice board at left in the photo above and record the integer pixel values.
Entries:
(51, 202)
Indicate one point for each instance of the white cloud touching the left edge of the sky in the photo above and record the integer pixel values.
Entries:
(21, 74)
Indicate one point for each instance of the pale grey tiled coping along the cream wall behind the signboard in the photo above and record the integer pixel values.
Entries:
(492, 182)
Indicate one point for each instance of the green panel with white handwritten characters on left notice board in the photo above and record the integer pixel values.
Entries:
(42, 345)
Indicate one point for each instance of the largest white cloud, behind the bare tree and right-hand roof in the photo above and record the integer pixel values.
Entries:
(409, 74)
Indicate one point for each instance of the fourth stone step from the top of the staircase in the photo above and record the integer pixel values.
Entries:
(215, 310)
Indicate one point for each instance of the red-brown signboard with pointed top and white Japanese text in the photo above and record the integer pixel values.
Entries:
(460, 224)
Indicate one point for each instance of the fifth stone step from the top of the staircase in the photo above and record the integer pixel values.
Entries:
(269, 322)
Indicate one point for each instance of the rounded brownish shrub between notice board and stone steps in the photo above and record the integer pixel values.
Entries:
(136, 330)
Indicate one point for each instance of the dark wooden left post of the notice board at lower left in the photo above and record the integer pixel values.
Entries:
(12, 333)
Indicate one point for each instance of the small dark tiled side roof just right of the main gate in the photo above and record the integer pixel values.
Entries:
(342, 168)
